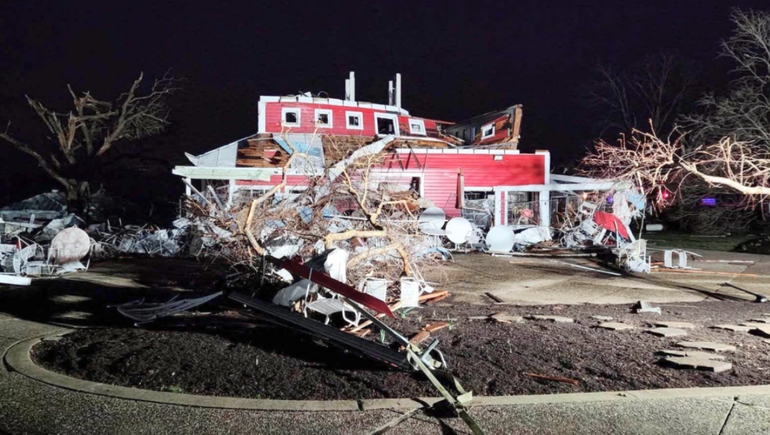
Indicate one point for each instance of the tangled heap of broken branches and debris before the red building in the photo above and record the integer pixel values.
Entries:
(359, 231)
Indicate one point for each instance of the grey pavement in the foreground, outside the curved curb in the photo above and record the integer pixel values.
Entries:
(28, 406)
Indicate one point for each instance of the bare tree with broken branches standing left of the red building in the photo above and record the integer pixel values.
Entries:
(84, 137)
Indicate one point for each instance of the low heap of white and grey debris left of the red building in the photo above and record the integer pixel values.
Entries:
(37, 233)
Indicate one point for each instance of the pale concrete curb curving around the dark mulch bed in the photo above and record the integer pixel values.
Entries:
(18, 358)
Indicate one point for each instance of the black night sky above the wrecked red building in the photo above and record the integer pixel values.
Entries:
(457, 59)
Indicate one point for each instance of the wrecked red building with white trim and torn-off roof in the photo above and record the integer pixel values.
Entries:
(471, 168)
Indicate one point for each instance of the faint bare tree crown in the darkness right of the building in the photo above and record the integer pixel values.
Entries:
(654, 89)
